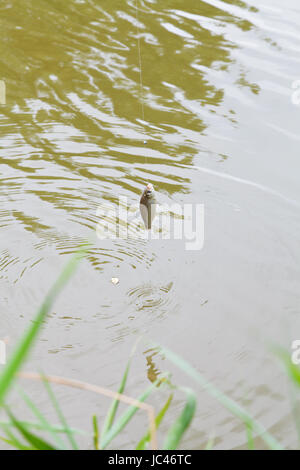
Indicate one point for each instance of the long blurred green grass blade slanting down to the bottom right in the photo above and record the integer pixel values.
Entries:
(227, 402)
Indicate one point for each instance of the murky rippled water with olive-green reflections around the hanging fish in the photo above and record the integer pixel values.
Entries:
(221, 130)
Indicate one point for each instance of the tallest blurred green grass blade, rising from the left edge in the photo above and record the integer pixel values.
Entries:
(28, 338)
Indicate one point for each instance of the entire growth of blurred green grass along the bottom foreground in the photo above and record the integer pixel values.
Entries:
(27, 435)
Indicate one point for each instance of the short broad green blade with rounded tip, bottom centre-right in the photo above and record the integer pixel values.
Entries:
(181, 424)
